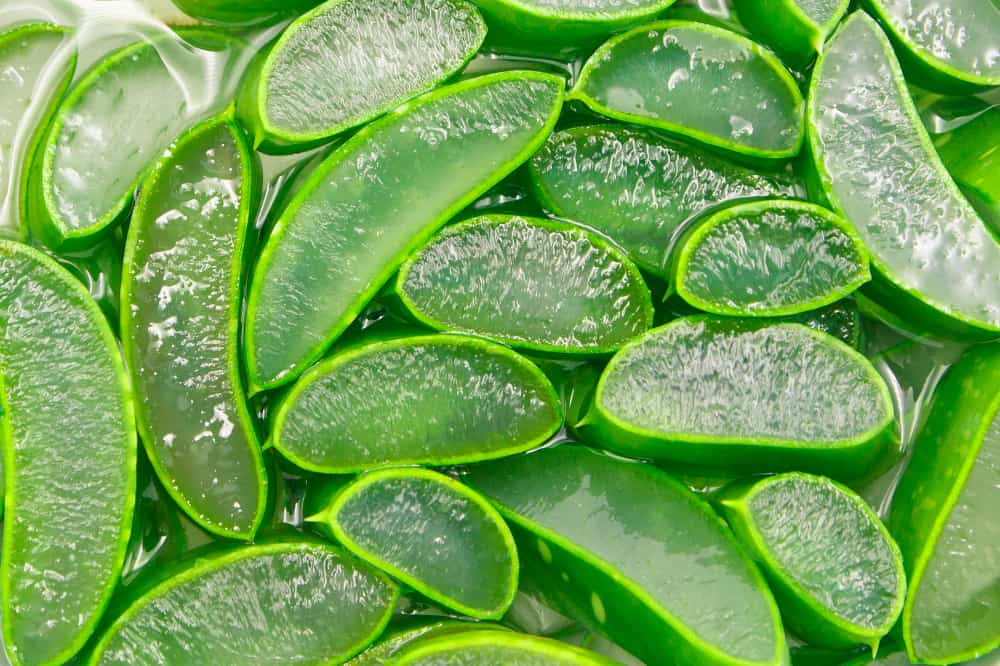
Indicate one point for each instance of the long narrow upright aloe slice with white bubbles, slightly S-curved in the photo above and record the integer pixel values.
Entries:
(181, 290)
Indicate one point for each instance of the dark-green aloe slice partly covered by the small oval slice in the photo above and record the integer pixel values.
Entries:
(638, 188)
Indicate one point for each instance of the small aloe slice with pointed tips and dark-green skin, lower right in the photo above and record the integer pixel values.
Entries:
(837, 574)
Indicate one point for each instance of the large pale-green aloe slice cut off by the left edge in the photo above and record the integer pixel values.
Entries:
(69, 450)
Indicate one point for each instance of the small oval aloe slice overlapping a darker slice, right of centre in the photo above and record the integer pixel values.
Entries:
(769, 258)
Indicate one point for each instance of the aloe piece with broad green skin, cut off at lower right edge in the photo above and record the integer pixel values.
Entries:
(943, 517)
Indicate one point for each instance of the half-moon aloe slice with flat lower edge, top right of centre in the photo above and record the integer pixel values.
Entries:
(700, 82)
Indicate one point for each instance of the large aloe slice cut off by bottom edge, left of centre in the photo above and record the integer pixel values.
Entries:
(297, 602)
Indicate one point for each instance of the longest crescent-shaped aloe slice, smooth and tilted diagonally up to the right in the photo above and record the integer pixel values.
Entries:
(365, 209)
